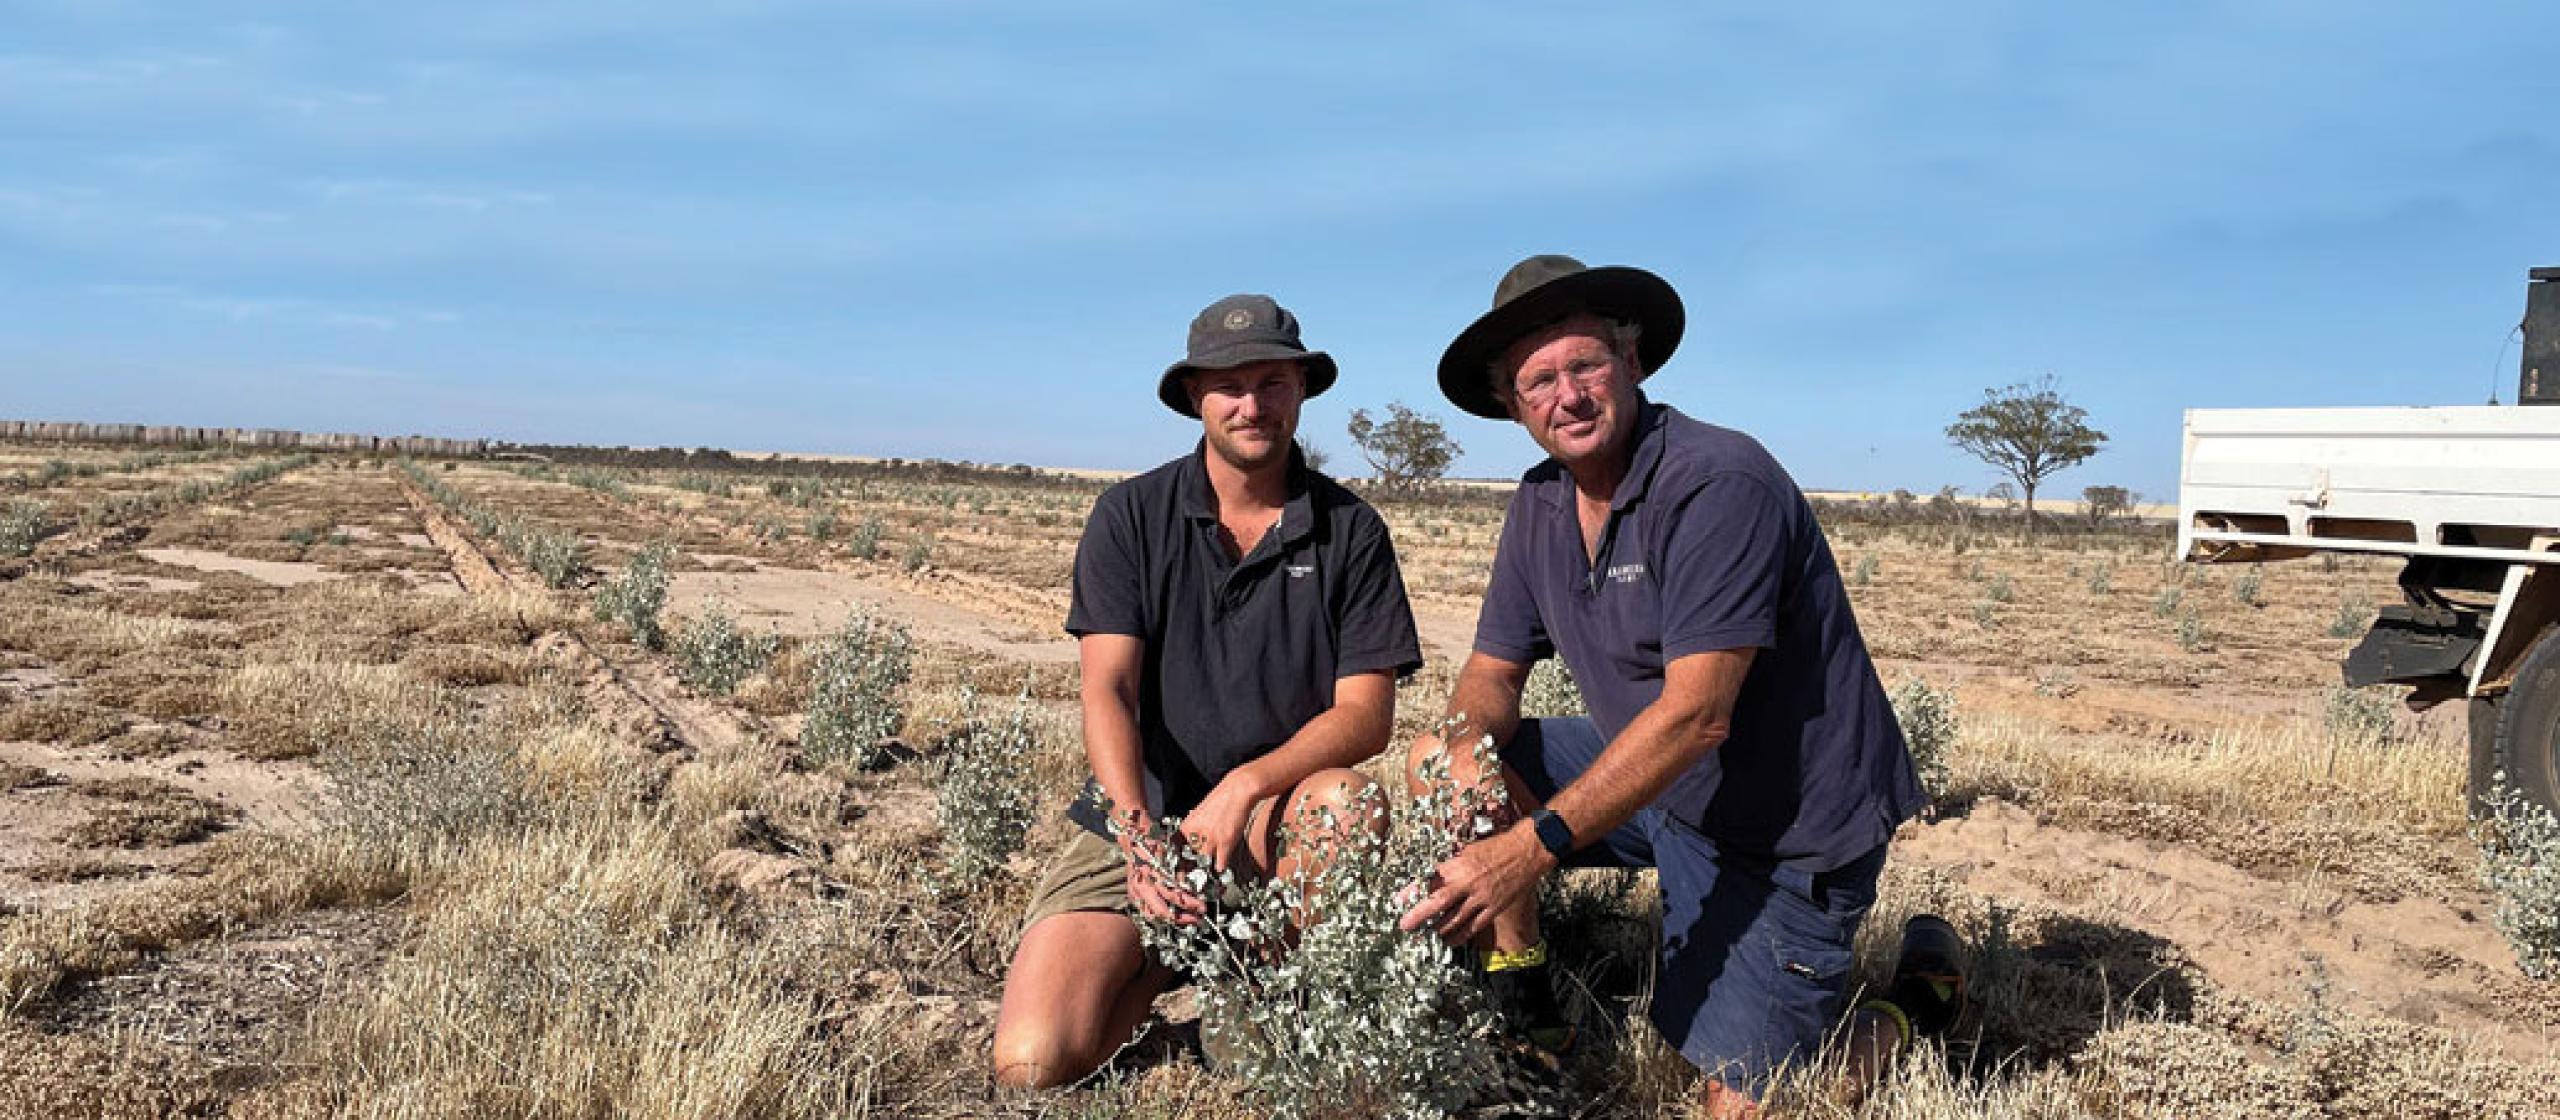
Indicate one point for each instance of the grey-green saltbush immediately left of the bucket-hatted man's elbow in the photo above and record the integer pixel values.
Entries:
(987, 789)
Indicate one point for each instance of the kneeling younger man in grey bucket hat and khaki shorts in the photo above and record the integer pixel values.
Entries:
(1240, 630)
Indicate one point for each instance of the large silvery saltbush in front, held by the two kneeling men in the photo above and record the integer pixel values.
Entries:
(1340, 1014)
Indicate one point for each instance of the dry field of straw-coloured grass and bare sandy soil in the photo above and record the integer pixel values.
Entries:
(321, 802)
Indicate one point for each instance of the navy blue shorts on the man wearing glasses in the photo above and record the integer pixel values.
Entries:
(1755, 955)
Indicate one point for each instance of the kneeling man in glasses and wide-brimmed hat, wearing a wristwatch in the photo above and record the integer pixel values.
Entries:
(1737, 740)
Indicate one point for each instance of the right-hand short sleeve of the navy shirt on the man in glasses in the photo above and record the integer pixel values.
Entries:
(1724, 566)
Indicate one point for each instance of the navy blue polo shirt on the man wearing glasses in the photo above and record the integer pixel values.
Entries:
(1711, 546)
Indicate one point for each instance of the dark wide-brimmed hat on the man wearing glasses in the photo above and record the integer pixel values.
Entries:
(1548, 290)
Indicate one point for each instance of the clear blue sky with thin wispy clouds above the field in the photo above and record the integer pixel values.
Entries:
(979, 231)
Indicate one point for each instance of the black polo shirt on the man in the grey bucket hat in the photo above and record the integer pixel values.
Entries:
(1240, 653)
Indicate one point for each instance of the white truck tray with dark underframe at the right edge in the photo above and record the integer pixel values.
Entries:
(2467, 495)
